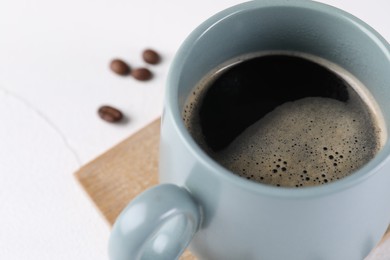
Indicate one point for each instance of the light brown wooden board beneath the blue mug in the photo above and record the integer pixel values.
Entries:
(113, 179)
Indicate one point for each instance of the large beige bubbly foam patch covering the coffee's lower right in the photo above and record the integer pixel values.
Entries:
(305, 156)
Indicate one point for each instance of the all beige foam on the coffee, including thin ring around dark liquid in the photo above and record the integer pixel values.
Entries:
(304, 156)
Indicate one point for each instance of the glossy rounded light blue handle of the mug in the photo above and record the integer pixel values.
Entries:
(158, 224)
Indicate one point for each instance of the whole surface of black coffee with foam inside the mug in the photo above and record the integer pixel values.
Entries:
(284, 119)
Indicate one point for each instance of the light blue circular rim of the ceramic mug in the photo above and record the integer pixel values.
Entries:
(172, 107)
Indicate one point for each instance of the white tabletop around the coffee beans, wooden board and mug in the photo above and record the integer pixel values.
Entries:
(54, 74)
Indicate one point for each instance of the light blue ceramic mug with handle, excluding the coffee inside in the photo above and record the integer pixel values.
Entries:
(222, 216)
